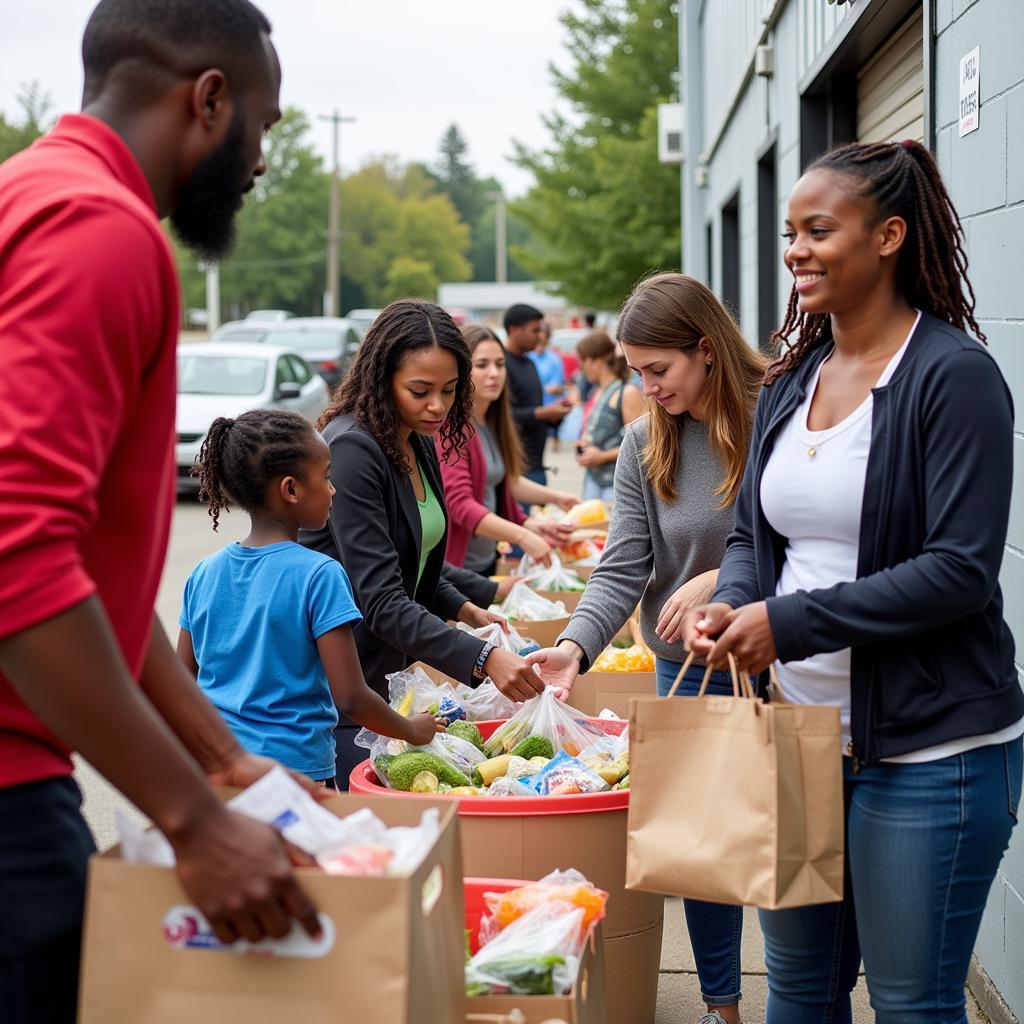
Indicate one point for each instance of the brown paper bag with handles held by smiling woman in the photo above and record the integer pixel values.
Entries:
(736, 801)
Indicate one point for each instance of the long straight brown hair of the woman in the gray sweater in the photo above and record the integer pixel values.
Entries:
(673, 311)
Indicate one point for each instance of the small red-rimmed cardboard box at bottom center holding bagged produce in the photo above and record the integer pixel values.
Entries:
(586, 1004)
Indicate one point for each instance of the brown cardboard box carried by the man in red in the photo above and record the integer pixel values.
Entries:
(397, 946)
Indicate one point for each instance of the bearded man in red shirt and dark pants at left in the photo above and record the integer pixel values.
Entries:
(179, 95)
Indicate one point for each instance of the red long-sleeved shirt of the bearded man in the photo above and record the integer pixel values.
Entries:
(89, 325)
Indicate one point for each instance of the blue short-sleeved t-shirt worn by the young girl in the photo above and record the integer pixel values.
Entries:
(254, 616)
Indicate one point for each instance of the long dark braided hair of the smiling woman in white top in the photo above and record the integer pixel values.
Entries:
(902, 180)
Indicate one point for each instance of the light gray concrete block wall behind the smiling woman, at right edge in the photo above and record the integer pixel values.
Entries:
(986, 175)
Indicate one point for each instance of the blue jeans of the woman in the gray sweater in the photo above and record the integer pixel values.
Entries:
(715, 929)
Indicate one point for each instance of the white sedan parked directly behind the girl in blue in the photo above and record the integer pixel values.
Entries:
(230, 378)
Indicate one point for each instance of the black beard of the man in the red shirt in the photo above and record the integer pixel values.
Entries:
(204, 218)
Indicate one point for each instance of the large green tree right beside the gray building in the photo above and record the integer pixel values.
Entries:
(604, 210)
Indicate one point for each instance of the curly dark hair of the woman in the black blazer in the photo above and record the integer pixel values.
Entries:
(366, 393)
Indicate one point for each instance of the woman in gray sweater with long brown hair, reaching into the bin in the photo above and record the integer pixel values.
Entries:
(678, 473)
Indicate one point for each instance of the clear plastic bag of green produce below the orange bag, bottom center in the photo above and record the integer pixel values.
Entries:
(536, 956)
